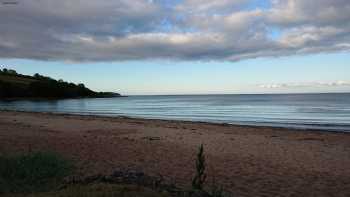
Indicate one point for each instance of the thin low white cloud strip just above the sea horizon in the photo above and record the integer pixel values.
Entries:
(305, 85)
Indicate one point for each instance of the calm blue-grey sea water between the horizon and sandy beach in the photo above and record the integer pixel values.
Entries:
(315, 111)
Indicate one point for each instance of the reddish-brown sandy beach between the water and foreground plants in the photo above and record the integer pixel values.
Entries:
(249, 161)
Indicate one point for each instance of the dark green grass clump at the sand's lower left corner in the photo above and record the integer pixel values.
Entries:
(33, 172)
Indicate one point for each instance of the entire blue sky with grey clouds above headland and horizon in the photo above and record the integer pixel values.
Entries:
(181, 46)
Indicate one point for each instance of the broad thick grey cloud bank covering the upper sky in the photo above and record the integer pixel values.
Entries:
(221, 30)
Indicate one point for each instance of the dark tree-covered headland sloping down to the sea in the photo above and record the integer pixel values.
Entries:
(14, 85)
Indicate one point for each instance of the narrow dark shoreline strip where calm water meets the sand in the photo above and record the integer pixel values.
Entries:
(286, 128)
